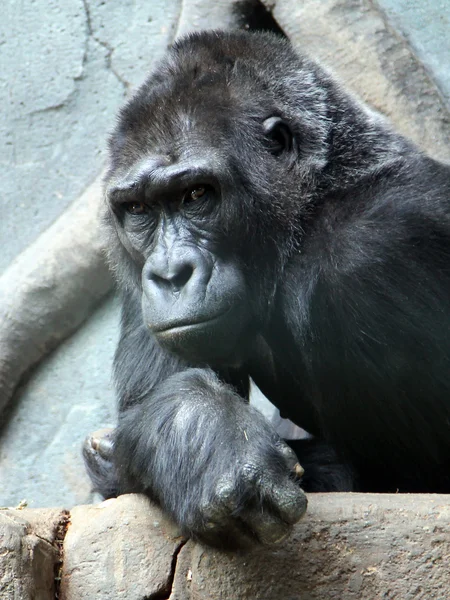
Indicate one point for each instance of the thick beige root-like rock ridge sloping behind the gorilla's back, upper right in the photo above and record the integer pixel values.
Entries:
(353, 38)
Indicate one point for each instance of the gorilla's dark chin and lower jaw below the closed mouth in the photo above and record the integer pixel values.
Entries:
(219, 339)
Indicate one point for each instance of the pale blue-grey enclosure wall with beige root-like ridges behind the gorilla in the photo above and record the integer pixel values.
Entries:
(66, 67)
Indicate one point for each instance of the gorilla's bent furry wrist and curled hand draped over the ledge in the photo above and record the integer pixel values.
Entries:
(212, 462)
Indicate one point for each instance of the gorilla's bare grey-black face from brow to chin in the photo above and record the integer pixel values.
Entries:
(194, 293)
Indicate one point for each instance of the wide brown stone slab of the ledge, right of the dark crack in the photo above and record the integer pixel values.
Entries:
(348, 546)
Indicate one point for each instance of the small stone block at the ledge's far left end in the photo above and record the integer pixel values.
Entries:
(28, 553)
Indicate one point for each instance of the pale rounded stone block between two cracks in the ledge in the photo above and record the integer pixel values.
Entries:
(121, 548)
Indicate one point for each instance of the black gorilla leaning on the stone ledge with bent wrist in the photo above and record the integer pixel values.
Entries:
(264, 224)
